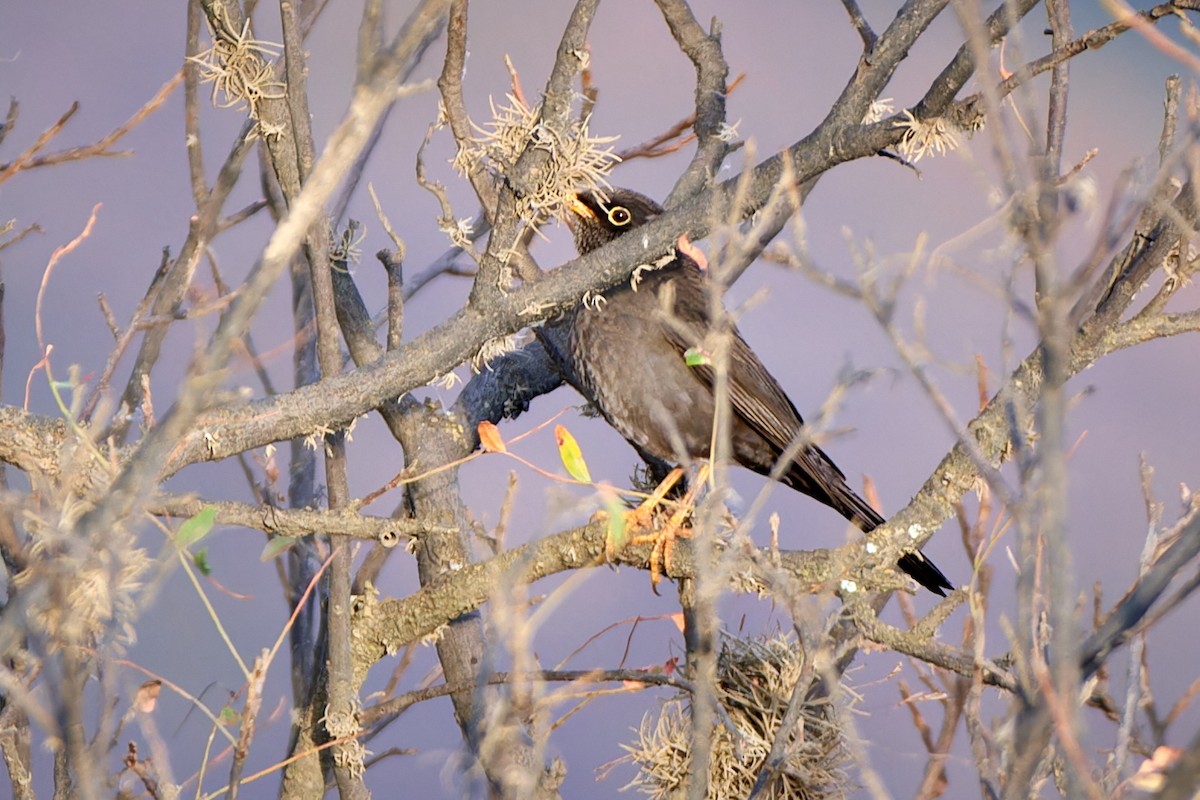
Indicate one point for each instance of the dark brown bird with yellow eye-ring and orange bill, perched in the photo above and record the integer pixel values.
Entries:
(629, 359)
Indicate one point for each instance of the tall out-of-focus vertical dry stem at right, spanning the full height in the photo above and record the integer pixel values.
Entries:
(1046, 592)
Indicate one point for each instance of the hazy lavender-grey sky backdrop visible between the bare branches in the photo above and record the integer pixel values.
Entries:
(113, 57)
